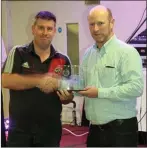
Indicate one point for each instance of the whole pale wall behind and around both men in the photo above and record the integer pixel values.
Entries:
(17, 17)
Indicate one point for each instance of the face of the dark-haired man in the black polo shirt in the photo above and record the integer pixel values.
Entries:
(43, 31)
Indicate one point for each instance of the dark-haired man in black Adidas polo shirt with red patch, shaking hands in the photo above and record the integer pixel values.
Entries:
(31, 73)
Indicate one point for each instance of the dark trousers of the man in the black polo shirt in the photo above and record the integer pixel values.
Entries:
(36, 137)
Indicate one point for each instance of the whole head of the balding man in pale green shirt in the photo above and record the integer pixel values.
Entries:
(101, 24)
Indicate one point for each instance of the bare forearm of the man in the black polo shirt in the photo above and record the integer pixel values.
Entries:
(20, 82)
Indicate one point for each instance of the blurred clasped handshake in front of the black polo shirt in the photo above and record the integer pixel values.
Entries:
(48, 84)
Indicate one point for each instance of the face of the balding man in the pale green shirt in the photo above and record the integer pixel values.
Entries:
(100, 27)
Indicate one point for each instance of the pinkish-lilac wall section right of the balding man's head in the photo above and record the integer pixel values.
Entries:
(127, 15)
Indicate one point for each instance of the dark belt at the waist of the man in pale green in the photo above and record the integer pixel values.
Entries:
(108, 125)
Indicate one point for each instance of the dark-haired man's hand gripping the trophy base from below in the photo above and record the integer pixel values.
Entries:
(65, 95)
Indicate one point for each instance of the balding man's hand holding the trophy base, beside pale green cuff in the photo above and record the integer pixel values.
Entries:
(90, 91)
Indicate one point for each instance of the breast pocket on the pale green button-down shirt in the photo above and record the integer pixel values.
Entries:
(107, 75)
